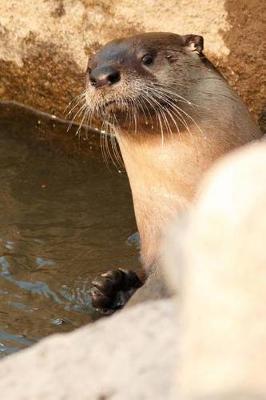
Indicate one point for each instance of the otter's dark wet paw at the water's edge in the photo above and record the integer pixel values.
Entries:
(111, 290)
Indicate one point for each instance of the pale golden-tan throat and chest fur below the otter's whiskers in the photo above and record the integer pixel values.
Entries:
(163, 179)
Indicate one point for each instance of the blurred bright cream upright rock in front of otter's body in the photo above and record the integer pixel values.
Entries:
(224, 287)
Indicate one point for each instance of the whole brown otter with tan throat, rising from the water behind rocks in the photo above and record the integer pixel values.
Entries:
(173, 114)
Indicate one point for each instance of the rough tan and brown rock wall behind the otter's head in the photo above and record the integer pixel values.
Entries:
(44, 45)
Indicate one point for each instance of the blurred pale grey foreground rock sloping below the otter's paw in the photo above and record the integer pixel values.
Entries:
(131, 355)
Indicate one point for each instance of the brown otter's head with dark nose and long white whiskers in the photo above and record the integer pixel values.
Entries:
(143, 78)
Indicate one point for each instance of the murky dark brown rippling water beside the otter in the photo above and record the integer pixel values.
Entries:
(63, 220)
